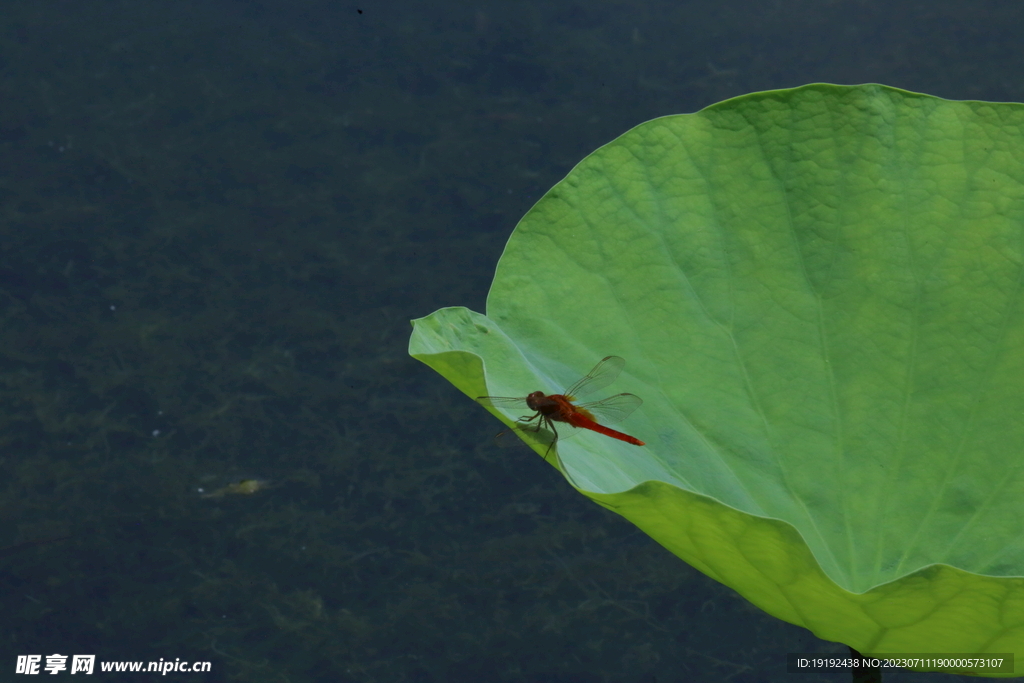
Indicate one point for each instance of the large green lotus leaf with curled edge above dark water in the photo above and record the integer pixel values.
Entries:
(819, 293)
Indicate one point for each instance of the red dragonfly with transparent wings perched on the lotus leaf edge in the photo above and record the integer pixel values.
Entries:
(549, 409)
